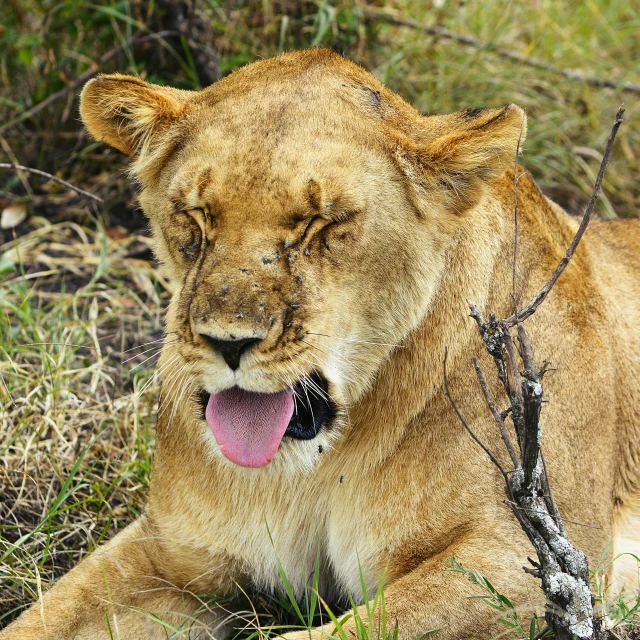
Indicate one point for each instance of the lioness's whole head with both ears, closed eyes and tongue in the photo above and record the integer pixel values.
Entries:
(304, 227)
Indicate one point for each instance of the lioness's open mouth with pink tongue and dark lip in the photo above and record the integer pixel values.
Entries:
(249, 426)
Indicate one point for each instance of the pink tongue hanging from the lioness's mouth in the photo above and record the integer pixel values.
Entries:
(249, 426)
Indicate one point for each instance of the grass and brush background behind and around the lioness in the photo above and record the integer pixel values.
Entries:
(80, 296)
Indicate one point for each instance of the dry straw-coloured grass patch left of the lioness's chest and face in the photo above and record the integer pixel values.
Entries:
(78, 397)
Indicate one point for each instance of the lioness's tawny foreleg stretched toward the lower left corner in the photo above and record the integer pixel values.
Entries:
(116, 592)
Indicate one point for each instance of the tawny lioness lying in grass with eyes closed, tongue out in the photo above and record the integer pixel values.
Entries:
(323, 238)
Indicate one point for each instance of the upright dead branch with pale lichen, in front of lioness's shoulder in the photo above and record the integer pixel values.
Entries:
(562, 568)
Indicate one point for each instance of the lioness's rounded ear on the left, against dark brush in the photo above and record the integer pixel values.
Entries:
(126, 112)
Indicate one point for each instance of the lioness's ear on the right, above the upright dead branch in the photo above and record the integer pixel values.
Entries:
(470, 149)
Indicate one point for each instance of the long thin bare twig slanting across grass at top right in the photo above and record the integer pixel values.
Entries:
(572, 74)
